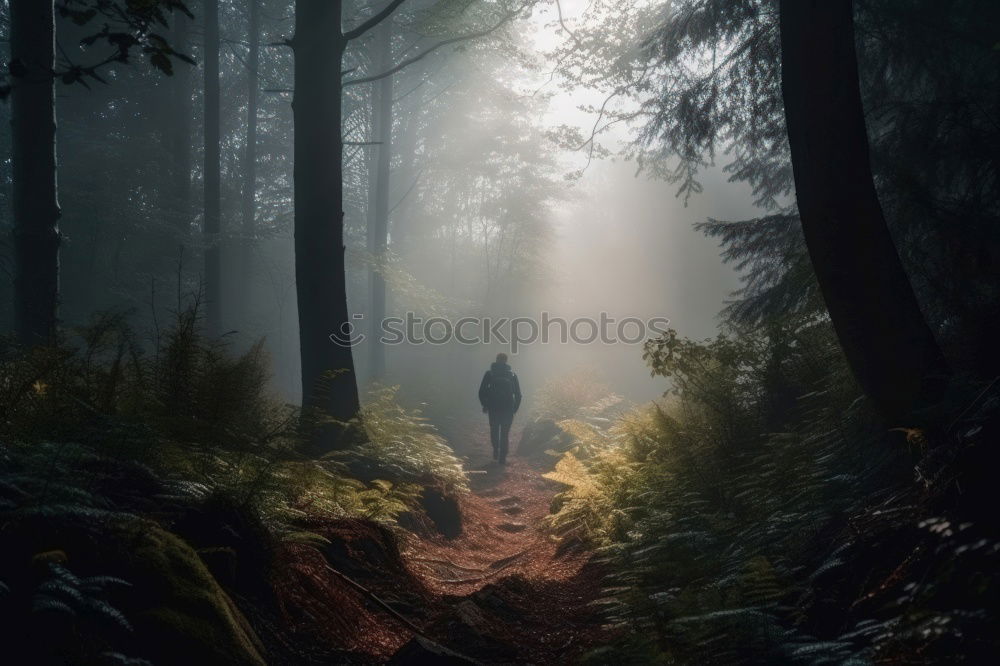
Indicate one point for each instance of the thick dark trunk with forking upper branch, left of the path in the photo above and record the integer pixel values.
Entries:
(328, 377)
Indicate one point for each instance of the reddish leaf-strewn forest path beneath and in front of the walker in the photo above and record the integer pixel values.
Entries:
(503, 590)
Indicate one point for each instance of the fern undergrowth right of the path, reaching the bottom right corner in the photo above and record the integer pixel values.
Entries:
(760, 514)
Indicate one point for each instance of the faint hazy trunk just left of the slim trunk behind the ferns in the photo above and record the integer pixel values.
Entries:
(180, 139)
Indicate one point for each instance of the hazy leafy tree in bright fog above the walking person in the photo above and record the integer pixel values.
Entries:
(490, 176)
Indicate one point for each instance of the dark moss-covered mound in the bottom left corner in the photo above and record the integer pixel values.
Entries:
(179, 613)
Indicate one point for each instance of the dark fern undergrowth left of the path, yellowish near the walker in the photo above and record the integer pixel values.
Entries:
(100, 432)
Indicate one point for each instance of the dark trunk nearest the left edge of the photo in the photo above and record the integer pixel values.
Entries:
(35, 202)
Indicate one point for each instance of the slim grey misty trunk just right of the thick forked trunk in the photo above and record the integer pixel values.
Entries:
(378, 233)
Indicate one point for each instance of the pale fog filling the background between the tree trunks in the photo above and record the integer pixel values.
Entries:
(494, 213)
